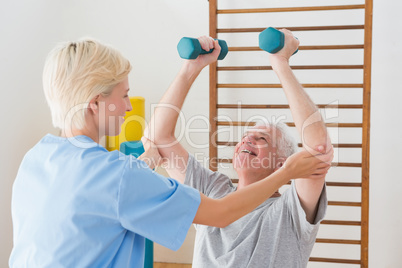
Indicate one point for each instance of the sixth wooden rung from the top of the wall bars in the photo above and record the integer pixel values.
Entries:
(284, 106)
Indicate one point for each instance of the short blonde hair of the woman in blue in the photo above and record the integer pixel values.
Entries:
(76, 72)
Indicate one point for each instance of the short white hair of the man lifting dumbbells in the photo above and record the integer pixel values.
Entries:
(280, 137)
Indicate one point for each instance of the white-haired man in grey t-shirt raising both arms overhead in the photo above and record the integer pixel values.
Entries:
(281, 232)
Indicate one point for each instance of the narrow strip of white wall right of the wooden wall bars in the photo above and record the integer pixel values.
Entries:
(386, 142)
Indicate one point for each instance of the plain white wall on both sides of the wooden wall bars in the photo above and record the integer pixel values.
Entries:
(147, 33)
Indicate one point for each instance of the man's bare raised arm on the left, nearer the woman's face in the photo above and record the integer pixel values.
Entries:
(161, 129)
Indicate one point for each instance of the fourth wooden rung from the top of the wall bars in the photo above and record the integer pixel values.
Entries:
(294, 67)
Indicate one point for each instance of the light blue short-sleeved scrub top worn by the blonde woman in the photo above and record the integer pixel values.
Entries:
(75, 204)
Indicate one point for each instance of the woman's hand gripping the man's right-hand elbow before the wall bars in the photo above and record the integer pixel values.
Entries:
(305, 165)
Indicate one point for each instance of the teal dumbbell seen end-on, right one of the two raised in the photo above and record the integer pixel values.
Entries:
(272, 40)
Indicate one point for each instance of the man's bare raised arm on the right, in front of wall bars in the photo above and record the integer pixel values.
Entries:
(308, 121)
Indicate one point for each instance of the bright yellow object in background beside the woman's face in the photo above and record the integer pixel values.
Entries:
(133, 126)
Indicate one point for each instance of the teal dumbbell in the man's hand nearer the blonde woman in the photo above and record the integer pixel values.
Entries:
(190, 48)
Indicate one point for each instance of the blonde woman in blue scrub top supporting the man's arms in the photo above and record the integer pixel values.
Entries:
(77, 205)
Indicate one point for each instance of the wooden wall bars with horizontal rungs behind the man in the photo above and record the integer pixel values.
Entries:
(218, 143)
